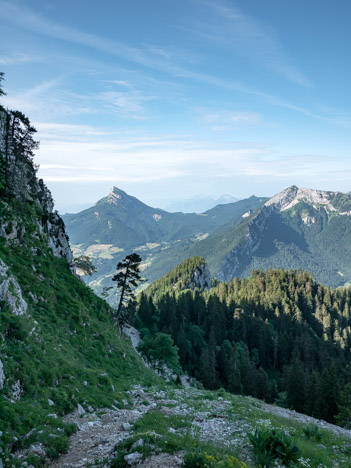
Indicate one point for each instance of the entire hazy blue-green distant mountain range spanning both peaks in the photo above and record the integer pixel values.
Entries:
(296, 229)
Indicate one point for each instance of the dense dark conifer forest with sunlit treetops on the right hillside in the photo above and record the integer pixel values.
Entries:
(279, 336)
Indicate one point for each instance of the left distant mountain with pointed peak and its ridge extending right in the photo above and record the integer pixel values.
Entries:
(119, 223)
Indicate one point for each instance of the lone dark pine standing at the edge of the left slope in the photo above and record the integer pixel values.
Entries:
(127, 278)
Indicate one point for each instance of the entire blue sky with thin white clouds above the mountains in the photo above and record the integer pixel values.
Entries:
(171, 99)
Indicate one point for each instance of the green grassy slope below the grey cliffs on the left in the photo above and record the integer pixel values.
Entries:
(66, 348)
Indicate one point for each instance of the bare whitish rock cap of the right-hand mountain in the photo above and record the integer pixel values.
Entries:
(293, 195)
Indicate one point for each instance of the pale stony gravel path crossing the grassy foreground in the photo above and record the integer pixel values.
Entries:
(98, 433)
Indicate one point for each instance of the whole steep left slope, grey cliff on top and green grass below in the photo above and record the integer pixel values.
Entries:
(59, 347)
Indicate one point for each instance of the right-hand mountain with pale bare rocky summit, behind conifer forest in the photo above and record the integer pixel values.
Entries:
(296, 229)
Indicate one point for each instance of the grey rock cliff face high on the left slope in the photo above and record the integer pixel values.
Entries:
(24, 186)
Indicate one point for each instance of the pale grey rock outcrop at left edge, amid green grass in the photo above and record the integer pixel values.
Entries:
(10, 291)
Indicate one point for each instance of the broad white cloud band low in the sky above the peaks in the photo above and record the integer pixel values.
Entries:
(136, 158)
